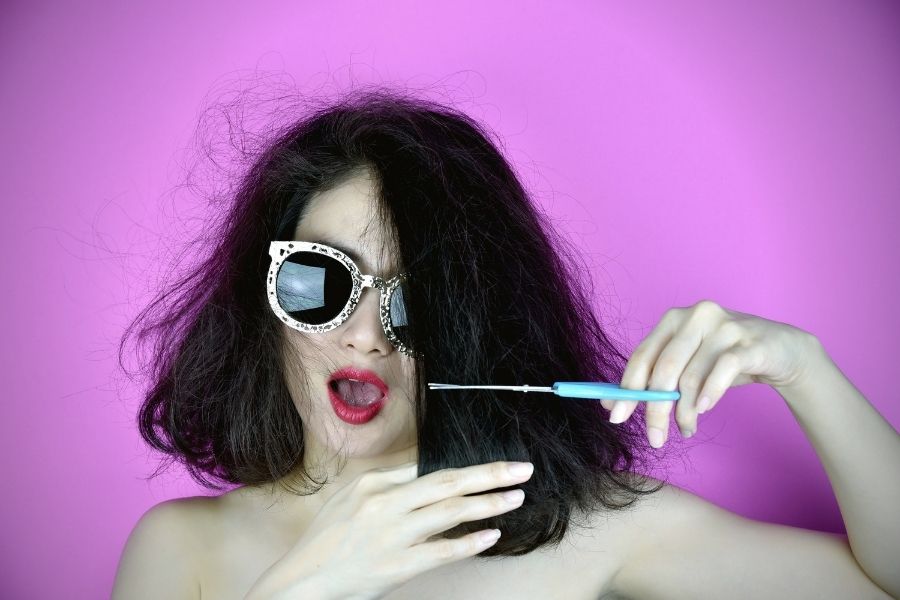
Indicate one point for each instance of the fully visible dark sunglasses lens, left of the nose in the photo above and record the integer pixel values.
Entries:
(313, 288)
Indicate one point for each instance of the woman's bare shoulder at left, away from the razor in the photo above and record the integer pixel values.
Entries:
(164, 551)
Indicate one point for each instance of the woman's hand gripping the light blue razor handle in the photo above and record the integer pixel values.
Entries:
(703, 350)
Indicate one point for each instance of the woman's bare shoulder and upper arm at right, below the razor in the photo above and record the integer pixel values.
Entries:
(677, 544)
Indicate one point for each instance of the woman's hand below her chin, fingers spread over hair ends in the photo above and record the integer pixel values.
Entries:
(373, 534)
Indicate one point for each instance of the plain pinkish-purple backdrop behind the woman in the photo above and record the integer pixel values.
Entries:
(748, 154)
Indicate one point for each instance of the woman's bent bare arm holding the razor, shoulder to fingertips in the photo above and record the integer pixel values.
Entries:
(700, 549)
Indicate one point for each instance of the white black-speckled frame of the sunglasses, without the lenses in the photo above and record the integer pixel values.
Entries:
(279, 252)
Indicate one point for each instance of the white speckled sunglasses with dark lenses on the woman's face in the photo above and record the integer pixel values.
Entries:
(315, 288)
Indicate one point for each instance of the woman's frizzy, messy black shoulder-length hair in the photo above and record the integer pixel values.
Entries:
(496, 297)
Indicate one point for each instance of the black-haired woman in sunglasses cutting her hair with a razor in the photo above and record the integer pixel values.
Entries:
(277, 369)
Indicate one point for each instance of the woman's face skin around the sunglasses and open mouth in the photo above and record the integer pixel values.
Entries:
(345, 217)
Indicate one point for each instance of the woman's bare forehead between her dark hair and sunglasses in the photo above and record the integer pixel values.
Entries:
(346, 217)
